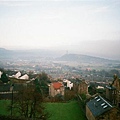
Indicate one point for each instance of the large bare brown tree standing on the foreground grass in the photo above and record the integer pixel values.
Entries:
(28, 103)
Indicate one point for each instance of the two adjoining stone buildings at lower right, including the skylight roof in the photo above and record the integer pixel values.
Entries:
(108, 108)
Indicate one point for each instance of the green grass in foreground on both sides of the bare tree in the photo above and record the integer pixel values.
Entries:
(57, 111)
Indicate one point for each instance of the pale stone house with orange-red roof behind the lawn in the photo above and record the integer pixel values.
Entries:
(56, 88)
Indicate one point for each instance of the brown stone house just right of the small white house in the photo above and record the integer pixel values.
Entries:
(83, 87)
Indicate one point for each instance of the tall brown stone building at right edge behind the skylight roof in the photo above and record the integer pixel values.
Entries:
(113, 91)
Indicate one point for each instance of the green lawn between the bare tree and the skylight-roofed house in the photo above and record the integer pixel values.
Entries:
(65, 111)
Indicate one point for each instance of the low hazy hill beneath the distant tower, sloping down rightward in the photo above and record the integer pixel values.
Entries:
(83, 58)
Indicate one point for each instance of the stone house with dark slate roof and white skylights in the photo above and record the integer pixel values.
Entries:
(99, 109)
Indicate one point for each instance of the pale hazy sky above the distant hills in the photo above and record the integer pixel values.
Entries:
(88, 26)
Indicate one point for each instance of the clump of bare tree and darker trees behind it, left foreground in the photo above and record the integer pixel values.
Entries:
(28, 102)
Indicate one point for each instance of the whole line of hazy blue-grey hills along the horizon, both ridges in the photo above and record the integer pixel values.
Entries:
(39, 53)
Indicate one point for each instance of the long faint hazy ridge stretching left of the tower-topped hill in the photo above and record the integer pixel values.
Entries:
(27, 54)
